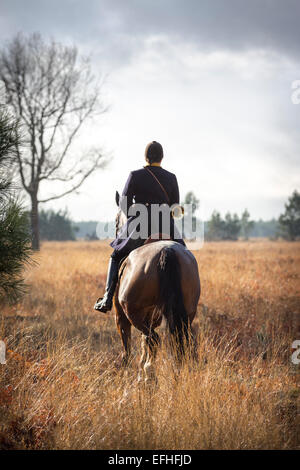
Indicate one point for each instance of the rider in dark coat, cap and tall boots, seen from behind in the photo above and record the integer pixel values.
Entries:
(151, 184)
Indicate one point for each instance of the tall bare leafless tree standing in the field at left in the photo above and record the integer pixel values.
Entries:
(53, 93)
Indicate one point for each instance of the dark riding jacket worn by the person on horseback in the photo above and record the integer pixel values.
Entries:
(142, 188)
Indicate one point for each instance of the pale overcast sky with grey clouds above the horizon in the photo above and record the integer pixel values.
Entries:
(209, 79)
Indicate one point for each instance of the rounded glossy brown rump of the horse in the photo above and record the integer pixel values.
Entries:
(150, 272)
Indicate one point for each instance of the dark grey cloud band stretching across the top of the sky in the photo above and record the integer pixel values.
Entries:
(118, 27)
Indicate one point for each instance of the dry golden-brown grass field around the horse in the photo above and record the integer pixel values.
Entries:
(63, 388)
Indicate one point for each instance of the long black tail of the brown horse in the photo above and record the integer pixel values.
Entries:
(170, 302)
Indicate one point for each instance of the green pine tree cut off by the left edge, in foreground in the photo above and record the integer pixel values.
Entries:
(15, 239)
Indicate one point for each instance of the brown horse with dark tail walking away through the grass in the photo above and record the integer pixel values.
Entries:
(158, 280)
